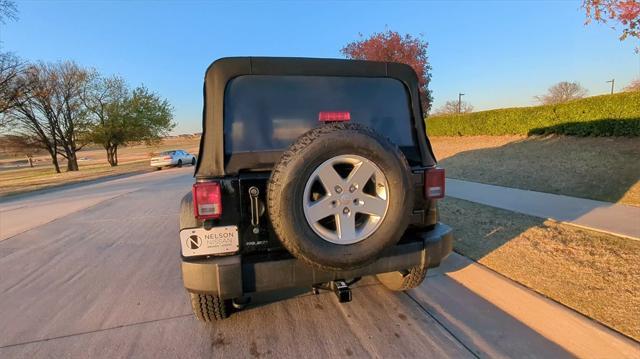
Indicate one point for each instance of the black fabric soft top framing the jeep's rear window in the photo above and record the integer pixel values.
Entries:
(211, 158)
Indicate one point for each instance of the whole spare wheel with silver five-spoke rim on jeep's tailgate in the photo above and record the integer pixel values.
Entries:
(339, 196)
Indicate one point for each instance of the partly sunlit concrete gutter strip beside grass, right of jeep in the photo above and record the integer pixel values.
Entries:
(497, 318)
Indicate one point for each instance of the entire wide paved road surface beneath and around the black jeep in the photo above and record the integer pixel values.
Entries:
(93, 271)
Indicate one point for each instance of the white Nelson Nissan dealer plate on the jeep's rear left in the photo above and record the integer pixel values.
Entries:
(217, 240)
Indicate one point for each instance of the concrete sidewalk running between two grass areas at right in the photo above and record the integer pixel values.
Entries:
(606, 217)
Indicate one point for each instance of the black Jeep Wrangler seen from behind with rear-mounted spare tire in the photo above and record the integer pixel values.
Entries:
(312, 173)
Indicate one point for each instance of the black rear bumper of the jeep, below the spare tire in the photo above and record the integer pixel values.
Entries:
(228, 277)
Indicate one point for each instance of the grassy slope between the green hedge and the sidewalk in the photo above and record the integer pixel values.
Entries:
(601, 168)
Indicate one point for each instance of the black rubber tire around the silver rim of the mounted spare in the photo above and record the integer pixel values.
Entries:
(286, 194)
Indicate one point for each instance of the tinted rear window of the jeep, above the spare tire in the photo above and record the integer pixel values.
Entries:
(268, 113)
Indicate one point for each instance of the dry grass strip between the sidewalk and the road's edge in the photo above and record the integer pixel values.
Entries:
(596, 274)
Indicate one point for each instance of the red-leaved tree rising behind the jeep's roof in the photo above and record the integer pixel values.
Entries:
(392, 47)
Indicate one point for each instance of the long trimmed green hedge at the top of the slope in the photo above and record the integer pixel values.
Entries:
(608, 115)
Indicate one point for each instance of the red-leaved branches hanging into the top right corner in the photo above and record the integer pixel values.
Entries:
(625, 12)
